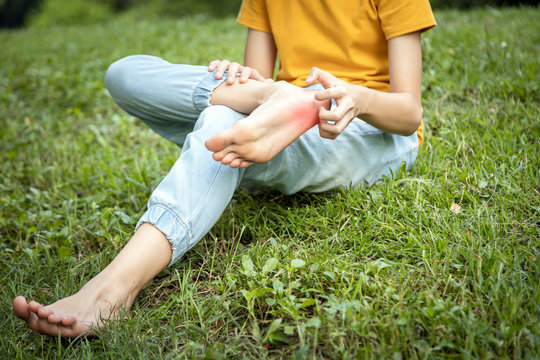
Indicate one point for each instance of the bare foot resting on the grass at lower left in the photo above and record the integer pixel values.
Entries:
(73, 316)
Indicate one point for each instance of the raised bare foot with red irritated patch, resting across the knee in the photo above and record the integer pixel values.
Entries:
(288, 112)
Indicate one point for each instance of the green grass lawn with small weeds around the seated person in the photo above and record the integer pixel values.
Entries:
(385, 271)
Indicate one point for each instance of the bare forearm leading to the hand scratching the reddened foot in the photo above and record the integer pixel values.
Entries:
(397, 113)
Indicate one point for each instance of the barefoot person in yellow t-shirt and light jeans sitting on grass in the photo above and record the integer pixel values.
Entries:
(366, 104)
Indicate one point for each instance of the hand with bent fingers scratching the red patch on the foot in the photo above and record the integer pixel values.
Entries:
(333, 122)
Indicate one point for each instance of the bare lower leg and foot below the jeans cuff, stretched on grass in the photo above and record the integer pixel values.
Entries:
(113, 290)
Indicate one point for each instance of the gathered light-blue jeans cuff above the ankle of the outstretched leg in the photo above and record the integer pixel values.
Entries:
(174, 229)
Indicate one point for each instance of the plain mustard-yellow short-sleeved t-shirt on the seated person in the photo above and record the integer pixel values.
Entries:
(347, 38)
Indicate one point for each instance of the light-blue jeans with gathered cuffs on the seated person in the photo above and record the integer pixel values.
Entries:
(173, 100)
